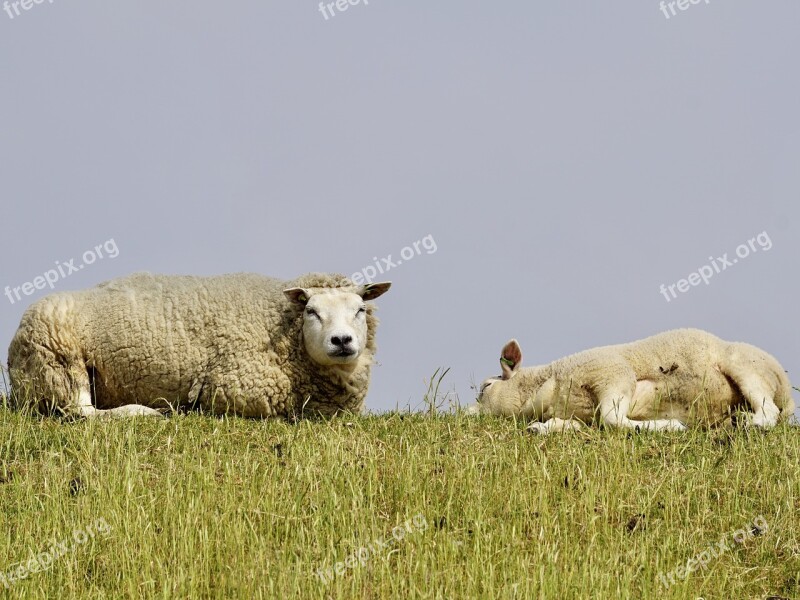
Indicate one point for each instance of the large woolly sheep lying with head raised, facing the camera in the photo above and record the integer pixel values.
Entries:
(240, 344)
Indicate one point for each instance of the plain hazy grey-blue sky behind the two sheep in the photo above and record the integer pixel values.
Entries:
(567, 159)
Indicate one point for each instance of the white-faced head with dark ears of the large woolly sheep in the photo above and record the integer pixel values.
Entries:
(335, 321)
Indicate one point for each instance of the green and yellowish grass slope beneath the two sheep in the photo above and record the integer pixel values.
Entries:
(200, 507)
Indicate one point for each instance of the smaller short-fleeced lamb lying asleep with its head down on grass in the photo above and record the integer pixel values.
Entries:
(665, 382)
